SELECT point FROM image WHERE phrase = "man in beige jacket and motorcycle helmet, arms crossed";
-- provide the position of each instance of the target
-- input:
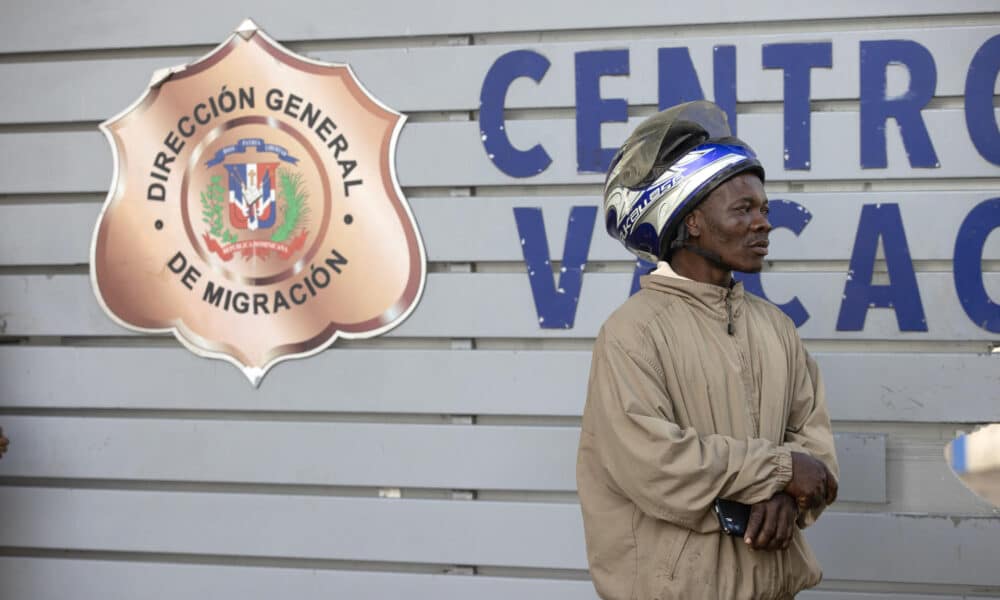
(699, 391)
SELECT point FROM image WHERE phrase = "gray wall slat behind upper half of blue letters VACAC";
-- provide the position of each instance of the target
(56, 234)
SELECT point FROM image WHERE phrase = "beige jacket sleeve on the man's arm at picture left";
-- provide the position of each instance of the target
(671, 473)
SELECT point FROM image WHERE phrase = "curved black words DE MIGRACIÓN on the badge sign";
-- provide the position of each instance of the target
(315, 280)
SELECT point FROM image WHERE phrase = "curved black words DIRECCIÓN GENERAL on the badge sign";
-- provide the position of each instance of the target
(227, 102)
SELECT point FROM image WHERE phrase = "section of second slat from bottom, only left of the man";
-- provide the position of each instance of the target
(543, 535)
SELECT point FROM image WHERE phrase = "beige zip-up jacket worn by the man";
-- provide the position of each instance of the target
(680, 413)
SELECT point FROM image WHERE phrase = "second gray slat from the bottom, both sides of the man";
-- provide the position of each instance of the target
(503, 534)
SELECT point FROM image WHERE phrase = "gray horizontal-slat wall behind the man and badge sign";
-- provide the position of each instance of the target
(437, 461)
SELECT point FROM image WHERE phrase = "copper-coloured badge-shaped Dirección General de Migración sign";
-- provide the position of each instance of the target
(254, 210)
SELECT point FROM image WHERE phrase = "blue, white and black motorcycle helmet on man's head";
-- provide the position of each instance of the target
(671, 162)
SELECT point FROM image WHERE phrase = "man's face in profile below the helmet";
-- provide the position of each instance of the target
(732, 222)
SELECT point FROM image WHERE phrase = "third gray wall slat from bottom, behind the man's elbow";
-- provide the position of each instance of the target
(355, 454)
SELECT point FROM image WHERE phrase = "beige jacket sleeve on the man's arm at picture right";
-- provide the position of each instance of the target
(809, 429)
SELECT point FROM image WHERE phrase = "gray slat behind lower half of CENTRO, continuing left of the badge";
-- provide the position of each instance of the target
(85, 158)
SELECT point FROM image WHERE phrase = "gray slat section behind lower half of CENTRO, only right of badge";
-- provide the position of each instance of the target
(440, 154)
